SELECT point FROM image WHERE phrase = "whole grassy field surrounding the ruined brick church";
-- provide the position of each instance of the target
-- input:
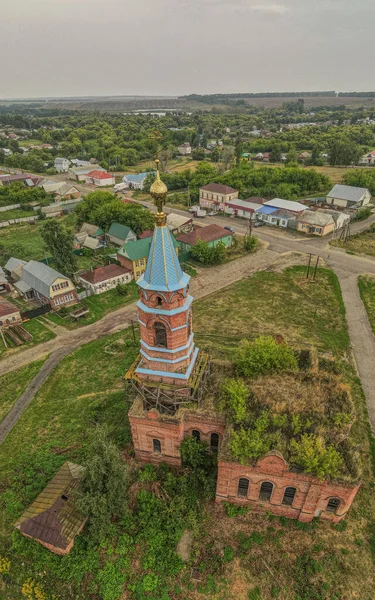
(256, 557)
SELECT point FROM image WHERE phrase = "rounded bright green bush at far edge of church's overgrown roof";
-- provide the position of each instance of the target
(263, 356)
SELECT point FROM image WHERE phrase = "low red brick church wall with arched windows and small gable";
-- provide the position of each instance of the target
(311, 495)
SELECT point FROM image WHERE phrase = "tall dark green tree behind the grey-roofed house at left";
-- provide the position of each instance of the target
(59, 242)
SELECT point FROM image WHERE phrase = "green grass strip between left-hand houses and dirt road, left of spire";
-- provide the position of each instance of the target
(98, 305)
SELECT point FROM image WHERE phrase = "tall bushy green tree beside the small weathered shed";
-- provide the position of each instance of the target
(105, 484)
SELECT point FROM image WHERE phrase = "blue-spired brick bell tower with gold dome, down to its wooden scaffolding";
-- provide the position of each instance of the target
(170, 370)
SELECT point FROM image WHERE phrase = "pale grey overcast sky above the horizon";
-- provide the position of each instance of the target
(175, 47)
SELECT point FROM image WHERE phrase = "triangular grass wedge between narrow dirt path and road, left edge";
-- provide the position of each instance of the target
(13, 384)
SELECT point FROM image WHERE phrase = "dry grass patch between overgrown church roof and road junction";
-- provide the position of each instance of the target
(285, 303)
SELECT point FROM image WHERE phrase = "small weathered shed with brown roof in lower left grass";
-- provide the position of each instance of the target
(53, 519)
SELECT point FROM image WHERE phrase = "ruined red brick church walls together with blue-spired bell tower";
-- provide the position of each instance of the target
(171, 377)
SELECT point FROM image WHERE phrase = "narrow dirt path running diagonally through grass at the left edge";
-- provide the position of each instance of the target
(24, 400)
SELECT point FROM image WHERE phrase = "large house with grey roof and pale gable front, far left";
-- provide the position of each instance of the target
(41, 282)
